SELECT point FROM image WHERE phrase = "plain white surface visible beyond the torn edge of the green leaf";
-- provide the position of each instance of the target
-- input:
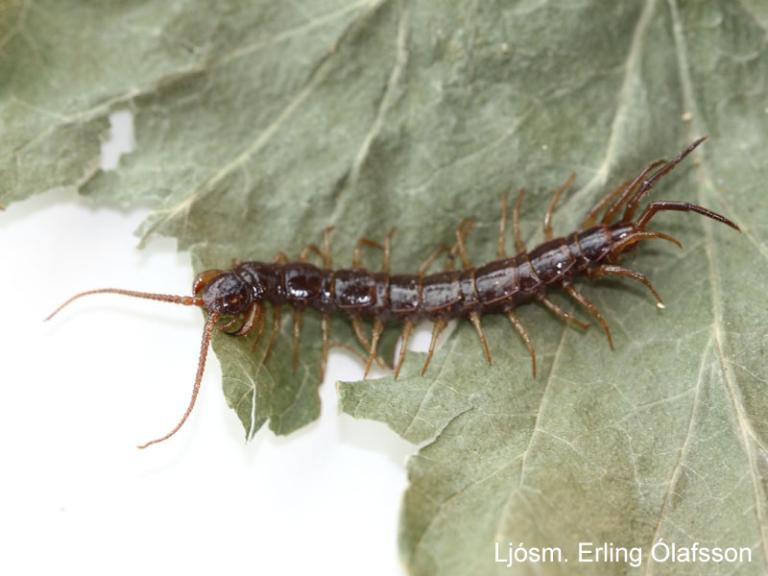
(78, 393)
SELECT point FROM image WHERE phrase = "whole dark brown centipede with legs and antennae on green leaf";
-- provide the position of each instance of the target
(238, 300)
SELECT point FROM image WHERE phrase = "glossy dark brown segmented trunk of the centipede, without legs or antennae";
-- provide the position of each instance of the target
(495, 287)
